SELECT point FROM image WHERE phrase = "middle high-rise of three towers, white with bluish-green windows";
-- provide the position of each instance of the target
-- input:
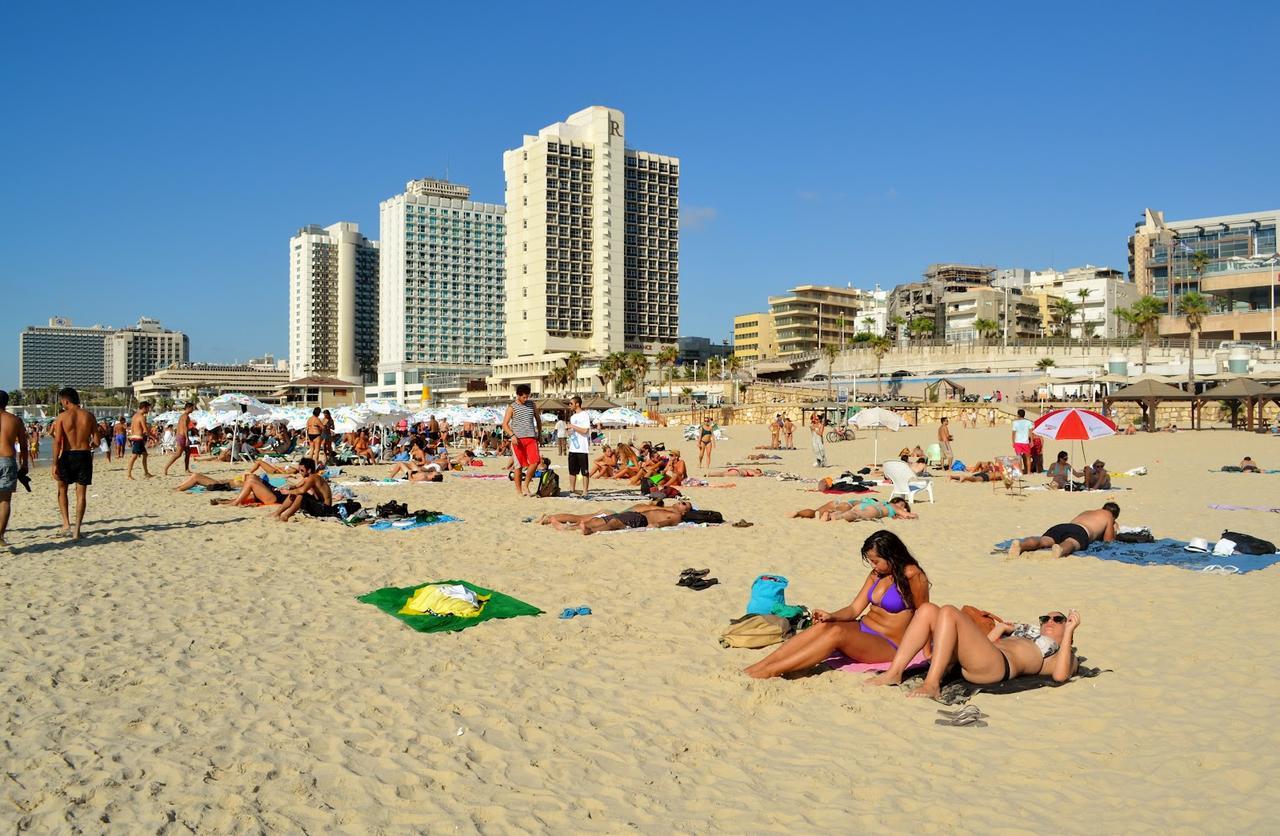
(442, 290)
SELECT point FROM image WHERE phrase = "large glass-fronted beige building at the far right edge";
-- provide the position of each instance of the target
(1240, 277)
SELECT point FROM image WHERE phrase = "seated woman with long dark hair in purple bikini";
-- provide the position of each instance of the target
(867, 631)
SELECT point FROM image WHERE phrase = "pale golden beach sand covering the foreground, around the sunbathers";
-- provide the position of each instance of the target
(190, 668)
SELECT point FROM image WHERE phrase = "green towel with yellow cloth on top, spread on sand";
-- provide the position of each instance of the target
(449, 615)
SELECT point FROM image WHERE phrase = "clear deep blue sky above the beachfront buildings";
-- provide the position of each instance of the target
(157, 161)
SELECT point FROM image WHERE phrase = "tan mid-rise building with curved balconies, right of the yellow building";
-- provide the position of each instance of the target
(815, 316)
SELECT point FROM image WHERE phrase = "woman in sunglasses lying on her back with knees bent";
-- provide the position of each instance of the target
(985, 659)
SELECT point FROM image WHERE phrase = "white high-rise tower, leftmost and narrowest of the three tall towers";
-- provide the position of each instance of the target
(333, 303)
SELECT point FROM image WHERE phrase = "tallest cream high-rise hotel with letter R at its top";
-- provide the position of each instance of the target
(593, 246)
